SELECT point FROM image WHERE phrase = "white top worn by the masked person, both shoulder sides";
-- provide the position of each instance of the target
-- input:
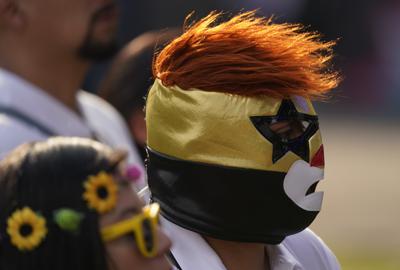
(302, 251)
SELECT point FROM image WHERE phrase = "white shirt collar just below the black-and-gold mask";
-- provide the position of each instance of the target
(192, 252)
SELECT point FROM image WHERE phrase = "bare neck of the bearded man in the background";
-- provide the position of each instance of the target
(60, 77)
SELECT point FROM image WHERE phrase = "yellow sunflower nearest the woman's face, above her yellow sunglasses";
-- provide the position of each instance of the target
(101, 192)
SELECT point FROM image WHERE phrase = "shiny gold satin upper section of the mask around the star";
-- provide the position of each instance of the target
(215, 128)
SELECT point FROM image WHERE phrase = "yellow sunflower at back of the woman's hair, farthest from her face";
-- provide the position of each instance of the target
(26, 229)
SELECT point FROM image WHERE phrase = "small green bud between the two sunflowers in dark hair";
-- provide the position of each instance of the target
(68, 219)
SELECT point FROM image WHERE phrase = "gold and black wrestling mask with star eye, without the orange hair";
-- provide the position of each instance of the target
(219, 166)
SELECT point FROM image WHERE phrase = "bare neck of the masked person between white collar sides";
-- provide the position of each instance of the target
(239, 256)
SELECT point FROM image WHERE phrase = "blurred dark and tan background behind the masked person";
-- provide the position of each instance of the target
(360, 123)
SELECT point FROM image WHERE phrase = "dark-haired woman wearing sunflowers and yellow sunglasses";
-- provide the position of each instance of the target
(67, 203)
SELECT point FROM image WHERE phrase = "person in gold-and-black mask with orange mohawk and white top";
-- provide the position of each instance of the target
(234, 145)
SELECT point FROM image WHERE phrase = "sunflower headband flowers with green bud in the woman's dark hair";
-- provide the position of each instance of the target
(28, 229)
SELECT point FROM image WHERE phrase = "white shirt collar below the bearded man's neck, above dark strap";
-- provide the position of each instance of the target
(28, 99)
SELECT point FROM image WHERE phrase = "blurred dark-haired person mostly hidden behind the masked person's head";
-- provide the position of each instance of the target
(125, 86)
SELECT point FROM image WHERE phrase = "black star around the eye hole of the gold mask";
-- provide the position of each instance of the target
(281, 145)
